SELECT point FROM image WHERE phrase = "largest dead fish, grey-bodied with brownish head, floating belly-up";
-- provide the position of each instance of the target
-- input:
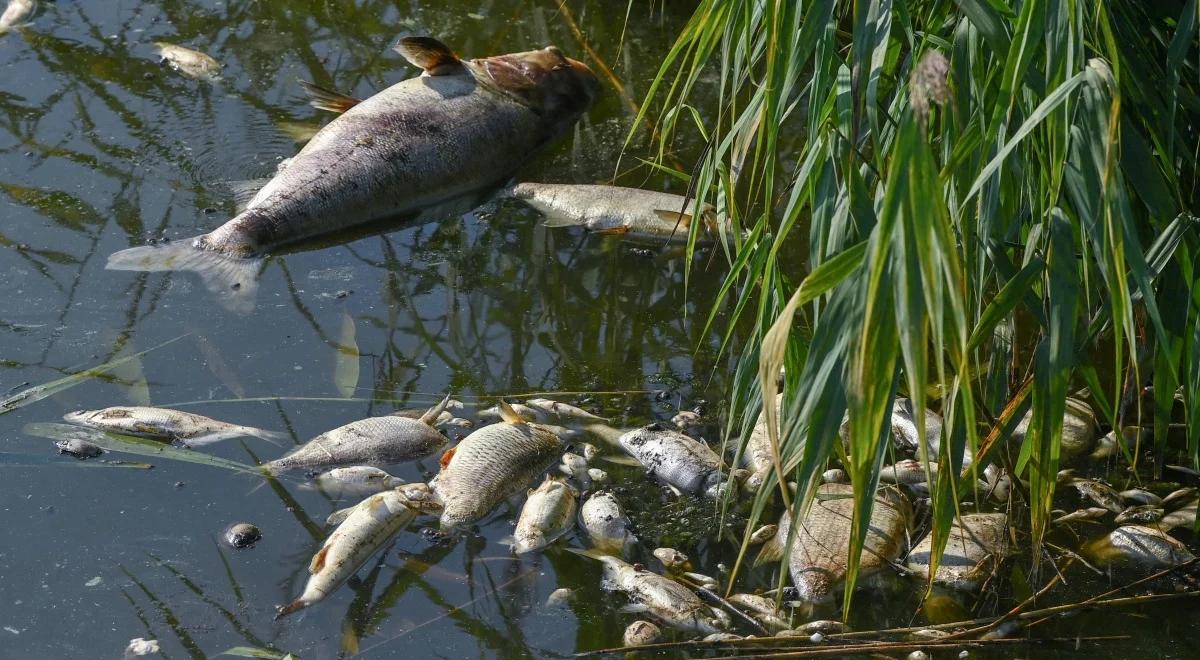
(461, 128)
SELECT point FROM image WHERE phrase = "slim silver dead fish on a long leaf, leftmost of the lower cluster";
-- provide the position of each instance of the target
(165, 424)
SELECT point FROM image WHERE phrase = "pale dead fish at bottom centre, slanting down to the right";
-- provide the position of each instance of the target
(662, 598)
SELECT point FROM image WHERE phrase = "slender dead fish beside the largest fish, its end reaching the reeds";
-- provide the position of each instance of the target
(615, 211)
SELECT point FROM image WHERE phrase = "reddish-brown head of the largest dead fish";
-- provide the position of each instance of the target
(545, 80)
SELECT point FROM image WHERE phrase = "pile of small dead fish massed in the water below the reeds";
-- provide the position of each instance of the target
(544, 454)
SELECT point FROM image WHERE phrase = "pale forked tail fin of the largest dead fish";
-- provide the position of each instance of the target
(232, 279)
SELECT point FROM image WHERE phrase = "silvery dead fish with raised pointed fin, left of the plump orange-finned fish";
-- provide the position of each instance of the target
(369, 442)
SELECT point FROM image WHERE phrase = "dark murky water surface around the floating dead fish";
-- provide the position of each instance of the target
(103, 149)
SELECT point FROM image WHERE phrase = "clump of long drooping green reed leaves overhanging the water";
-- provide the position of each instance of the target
(999, 206)
